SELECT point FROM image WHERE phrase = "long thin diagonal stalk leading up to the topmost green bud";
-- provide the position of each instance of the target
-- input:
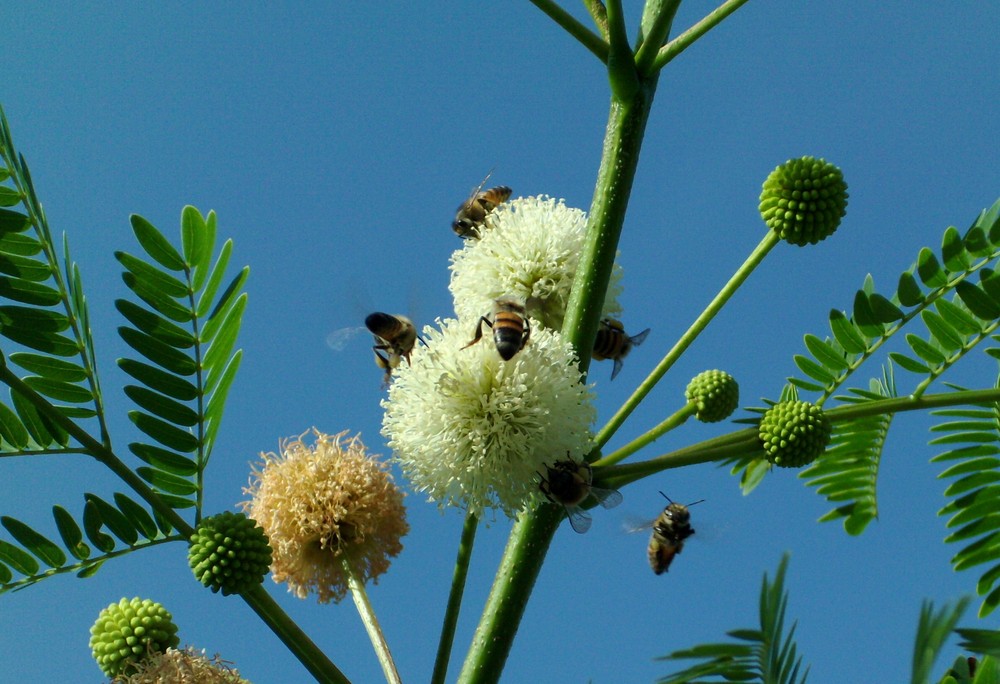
(700, 323)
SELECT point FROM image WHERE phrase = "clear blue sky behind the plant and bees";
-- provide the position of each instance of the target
(335, 142)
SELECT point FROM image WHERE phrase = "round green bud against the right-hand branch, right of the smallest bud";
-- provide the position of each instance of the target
(794, 433)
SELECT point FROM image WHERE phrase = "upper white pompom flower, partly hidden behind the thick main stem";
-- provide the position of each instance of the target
(530, 251)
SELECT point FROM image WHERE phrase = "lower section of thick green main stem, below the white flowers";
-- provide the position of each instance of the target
(522, 560)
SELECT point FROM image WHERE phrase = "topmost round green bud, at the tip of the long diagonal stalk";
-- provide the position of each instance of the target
(803, 200)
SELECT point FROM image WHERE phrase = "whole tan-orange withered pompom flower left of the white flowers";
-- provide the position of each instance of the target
(318, 502)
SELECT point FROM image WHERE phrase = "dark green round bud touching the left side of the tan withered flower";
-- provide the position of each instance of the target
(229, 551)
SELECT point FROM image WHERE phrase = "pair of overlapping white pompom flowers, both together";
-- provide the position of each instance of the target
(468, 428)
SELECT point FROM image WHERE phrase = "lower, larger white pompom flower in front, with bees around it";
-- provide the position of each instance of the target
(472, 430)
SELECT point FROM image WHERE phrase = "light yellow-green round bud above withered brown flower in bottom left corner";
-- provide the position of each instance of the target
(128, 631)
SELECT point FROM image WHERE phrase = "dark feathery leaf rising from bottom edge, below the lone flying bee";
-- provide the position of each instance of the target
(768, 655)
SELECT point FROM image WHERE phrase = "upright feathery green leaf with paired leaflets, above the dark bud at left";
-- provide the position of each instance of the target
(185, 331)
